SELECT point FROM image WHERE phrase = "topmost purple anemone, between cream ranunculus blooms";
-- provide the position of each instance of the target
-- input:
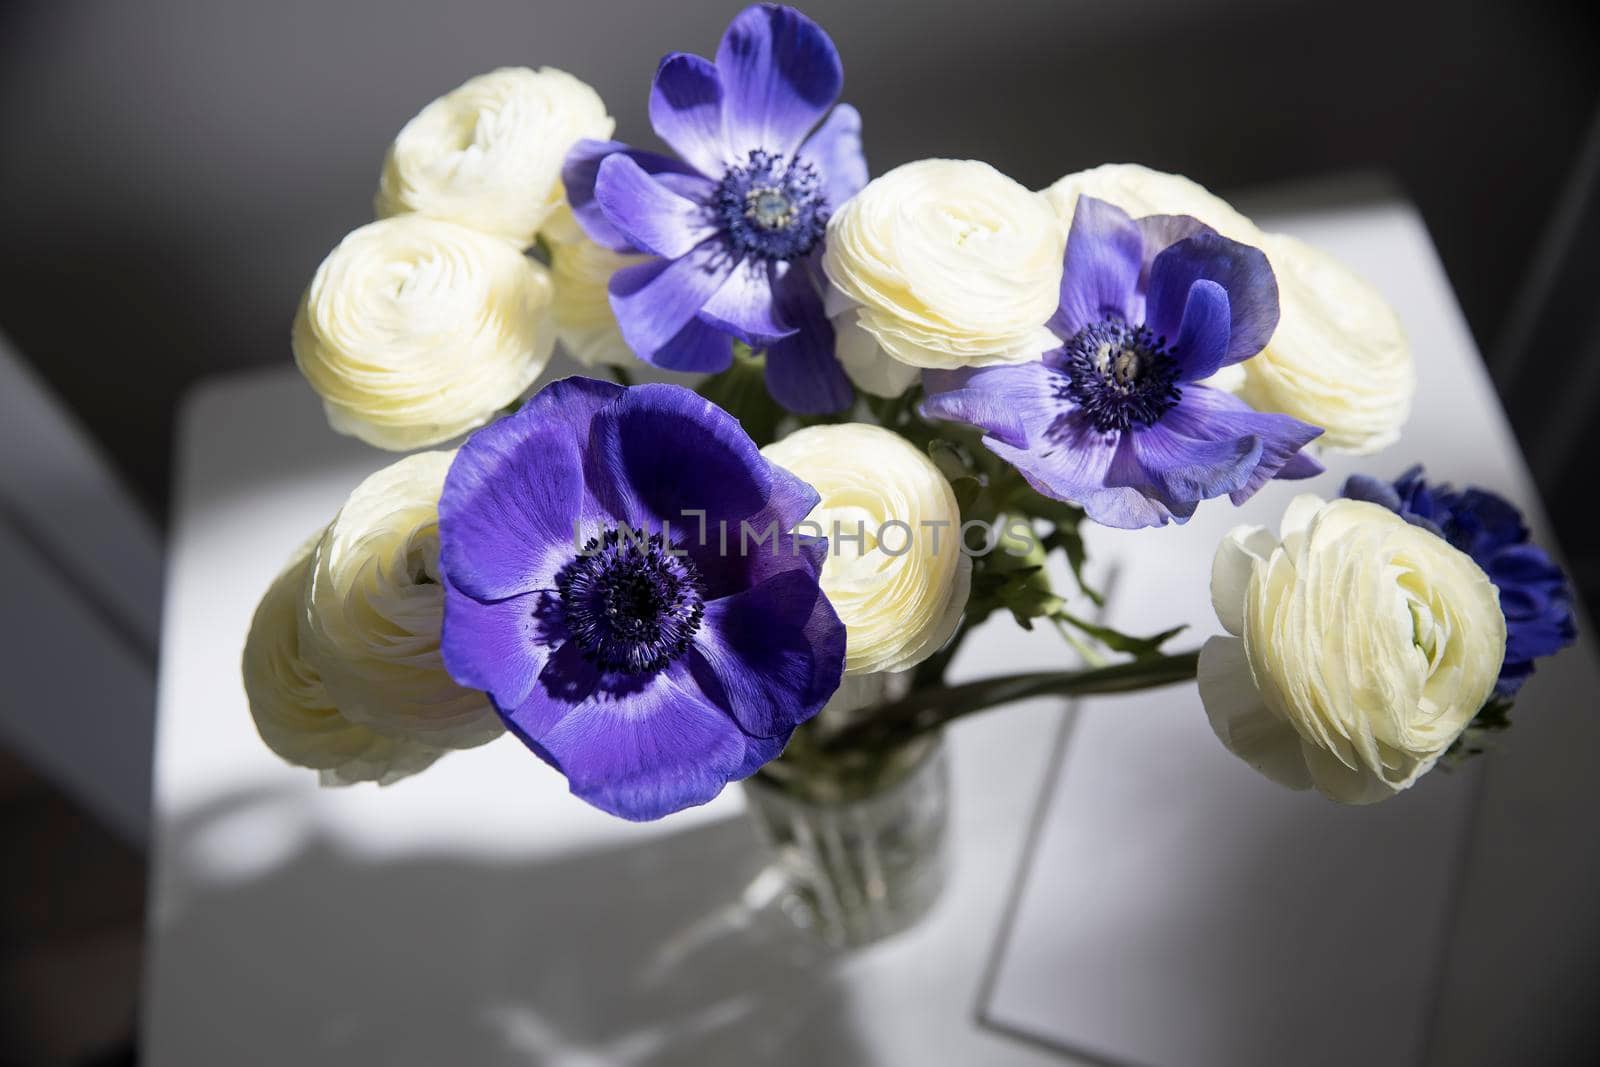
(738, 225)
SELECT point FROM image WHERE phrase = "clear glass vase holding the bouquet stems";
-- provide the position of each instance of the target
(860, 839)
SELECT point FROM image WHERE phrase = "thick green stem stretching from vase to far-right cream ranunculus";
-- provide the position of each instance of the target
(935, 708)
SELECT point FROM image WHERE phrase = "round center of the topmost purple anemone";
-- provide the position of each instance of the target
(772, 207)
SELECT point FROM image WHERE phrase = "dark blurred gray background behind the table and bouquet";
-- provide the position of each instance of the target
(174, 170)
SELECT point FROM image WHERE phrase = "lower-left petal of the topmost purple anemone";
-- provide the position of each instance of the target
(654, 302)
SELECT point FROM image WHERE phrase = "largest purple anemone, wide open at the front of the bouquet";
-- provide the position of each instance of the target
(590, 593)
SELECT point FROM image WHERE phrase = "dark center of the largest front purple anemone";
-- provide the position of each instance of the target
(630, 604)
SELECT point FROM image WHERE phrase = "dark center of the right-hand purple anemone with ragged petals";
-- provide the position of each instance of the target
(1121, 377)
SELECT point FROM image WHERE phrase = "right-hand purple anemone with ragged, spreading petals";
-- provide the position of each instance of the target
(1116, 418)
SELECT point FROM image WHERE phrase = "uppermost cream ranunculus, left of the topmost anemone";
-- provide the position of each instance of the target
(490, 154)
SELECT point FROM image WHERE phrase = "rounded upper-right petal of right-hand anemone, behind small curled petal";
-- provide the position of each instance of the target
(1241, 271)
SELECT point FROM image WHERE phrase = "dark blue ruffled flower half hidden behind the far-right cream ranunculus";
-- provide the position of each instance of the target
(1535, 594)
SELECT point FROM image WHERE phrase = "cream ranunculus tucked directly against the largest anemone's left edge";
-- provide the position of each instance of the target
(375, 607)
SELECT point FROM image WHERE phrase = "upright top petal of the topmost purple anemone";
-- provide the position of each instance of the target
(780, 76)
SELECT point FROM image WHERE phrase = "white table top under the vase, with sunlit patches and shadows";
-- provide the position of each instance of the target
(479, 914)
